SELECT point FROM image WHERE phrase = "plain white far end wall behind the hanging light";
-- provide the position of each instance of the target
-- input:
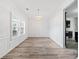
(38, 27)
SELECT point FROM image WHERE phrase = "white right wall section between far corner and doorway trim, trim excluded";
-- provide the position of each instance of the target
(56, 30)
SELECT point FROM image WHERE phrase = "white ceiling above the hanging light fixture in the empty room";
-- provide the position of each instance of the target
(46, 6)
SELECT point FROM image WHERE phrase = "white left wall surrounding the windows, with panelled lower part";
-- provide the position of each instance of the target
(6, 42)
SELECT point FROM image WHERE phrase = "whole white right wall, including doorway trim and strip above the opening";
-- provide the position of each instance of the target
(57, 24)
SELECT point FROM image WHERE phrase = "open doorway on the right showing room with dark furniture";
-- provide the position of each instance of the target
(71, 26)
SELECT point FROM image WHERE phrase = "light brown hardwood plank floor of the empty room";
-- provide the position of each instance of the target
(40, 48)
